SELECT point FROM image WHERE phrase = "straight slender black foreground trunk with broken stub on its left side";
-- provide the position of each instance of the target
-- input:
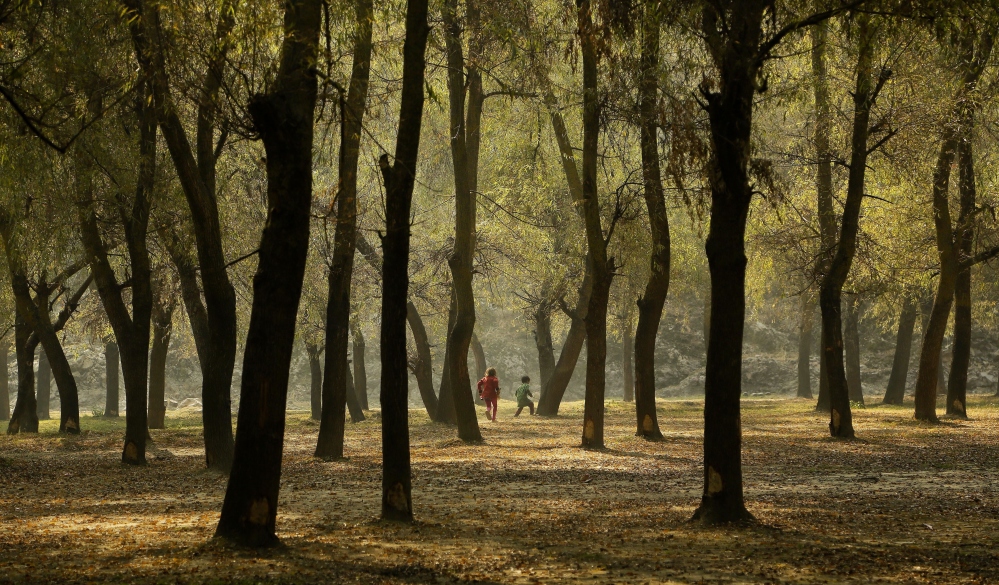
(397, 502)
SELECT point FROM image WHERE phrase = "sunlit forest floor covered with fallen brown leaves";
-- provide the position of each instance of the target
(905, 503)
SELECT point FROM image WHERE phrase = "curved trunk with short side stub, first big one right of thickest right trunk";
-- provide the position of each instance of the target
(830, 295)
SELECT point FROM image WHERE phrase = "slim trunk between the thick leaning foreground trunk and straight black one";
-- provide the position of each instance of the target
(331, 429)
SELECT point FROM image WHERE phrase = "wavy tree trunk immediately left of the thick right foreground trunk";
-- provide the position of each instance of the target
(650, 305)
